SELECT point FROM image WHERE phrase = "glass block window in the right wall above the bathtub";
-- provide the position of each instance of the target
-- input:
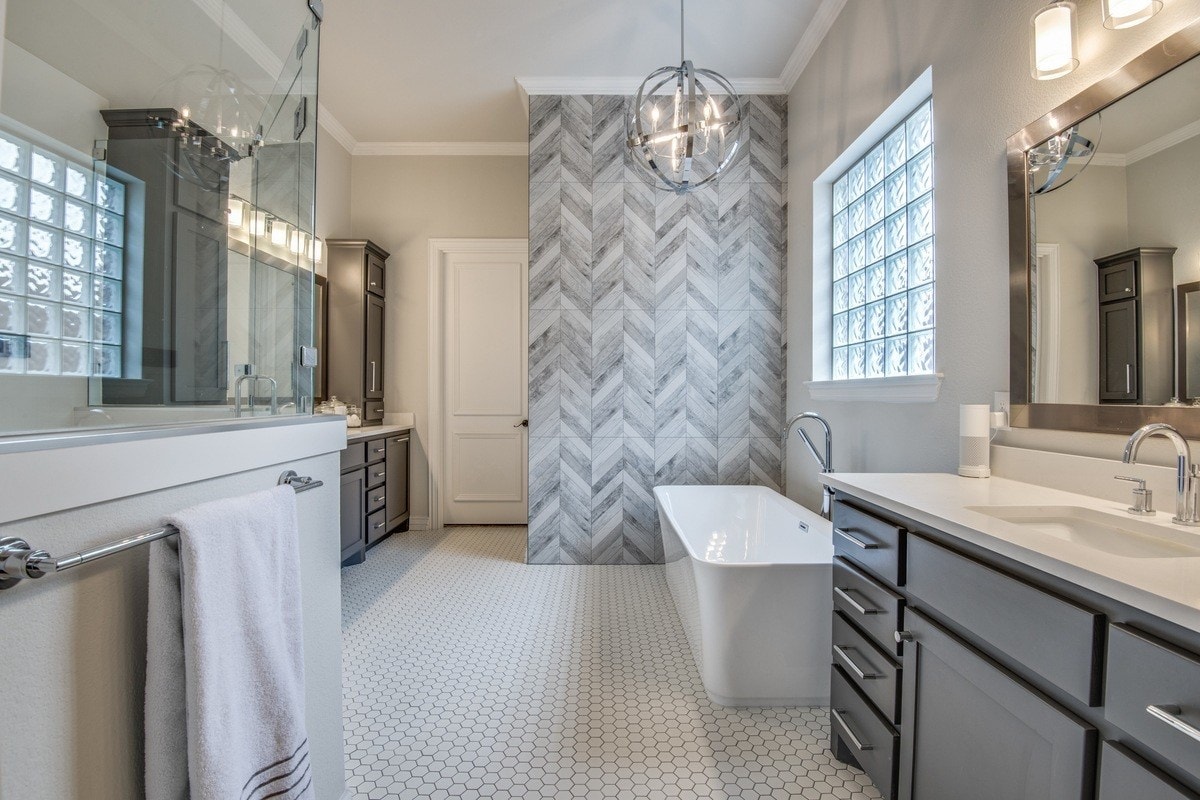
(884, 257)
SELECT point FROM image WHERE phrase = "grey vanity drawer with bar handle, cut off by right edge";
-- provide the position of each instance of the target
(1145, 673)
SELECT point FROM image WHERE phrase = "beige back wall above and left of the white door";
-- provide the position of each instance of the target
(401, 203)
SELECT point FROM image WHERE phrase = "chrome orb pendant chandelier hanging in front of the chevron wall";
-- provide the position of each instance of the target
(686, 125)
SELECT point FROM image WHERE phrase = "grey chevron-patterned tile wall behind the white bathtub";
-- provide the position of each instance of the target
(656, 329)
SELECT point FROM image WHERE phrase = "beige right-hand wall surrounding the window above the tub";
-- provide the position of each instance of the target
(982, 94)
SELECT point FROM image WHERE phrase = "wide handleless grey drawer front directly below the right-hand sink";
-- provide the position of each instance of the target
(1055, 639)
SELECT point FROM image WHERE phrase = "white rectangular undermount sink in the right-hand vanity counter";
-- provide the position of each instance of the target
(1123, 537)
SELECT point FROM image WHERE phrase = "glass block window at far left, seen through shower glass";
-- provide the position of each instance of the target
(62, 239)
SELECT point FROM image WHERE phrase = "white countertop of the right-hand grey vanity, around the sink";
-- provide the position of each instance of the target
(1166, 587)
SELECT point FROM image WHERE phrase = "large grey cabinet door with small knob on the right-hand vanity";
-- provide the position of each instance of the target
(975, 731)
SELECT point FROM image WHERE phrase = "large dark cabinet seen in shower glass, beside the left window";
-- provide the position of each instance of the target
(177, 256)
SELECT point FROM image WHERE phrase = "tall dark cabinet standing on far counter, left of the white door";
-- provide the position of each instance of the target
(356, 339)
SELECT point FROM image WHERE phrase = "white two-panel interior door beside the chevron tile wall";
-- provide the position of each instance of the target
(487, 388)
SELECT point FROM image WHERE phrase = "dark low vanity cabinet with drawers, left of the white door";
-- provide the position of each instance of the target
(375, 492)
